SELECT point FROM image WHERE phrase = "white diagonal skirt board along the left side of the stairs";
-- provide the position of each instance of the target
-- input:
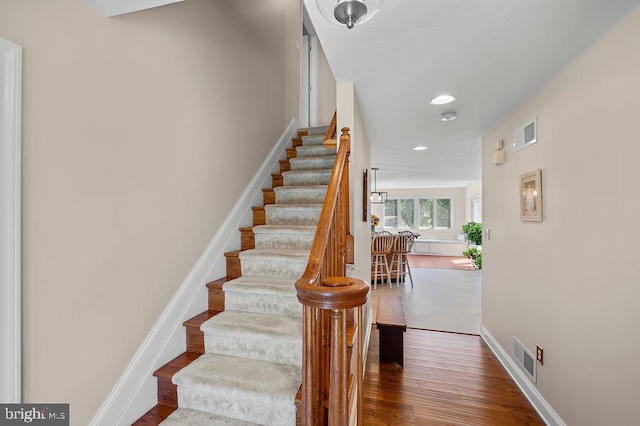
(136, 390)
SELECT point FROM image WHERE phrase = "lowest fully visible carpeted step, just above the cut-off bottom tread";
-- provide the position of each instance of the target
(250, 390)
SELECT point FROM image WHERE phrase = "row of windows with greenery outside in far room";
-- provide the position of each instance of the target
(418, 213)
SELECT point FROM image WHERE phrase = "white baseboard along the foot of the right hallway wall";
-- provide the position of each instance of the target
(549, 416)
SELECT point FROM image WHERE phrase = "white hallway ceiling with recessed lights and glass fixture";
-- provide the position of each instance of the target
(491, 54)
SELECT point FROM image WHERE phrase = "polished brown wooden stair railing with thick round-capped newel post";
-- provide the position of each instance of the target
(329, 299)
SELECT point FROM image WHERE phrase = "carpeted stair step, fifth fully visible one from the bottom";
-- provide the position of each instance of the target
(284, 237)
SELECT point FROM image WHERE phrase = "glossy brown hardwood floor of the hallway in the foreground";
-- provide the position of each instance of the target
(447, 379)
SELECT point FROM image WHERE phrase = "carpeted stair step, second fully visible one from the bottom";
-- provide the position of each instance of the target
(274, 338)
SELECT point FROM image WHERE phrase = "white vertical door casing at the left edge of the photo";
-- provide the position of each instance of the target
(10, 226)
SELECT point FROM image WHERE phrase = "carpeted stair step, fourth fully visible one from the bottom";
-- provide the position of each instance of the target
(273, 263)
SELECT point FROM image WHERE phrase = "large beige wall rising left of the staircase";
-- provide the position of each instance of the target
(134, 128)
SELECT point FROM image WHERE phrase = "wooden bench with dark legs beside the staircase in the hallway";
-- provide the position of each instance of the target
(392, 323)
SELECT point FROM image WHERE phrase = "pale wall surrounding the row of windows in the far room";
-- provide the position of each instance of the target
(458, 199)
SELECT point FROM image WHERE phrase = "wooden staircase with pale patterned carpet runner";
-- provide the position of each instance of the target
(243, 363)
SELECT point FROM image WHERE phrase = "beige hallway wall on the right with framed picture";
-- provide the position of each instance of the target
(571, 283)
